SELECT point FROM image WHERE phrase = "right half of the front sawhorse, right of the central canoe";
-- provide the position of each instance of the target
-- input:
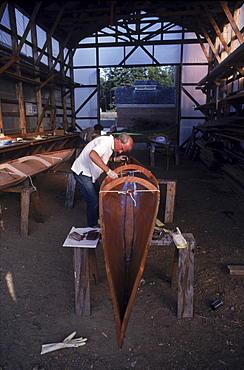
(183, 273)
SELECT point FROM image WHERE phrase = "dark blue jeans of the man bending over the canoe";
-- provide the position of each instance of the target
(90, 192)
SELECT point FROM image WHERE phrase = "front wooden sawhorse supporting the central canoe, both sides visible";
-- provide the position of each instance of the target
(85, 267)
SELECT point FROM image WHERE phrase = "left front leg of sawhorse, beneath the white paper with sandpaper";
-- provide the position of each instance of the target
(82, 281)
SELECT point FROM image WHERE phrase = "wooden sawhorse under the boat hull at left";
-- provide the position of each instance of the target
(28, 194)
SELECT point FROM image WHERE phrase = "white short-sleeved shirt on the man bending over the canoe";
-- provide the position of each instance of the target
(104, 146)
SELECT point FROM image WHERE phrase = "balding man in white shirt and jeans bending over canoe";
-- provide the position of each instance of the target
(92, 162)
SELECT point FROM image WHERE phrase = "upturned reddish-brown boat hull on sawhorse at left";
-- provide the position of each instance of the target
(17, 170)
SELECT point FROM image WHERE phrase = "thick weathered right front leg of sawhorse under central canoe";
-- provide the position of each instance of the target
(186, 279)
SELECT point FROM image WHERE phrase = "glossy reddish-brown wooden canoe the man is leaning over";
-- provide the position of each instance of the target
(128, 210)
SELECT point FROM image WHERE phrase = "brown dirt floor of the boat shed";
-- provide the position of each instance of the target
(37, 286)
